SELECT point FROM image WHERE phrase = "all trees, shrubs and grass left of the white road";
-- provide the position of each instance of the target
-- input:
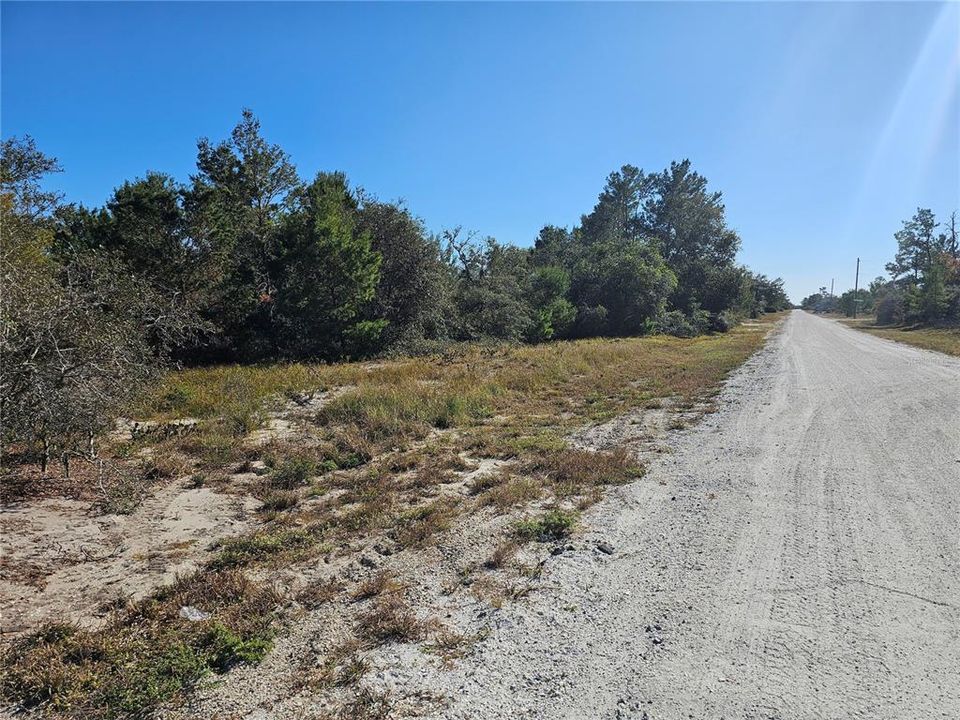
(378, 390)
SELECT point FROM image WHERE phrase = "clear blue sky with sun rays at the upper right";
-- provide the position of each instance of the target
(824, 124)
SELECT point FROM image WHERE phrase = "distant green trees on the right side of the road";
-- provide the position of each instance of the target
(924, 278)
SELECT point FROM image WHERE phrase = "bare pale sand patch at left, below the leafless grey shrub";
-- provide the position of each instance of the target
(60, 560)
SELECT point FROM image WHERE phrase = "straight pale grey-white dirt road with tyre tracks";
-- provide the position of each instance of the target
(796, 556)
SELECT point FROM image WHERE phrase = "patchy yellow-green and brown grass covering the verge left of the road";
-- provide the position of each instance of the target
(377, 459)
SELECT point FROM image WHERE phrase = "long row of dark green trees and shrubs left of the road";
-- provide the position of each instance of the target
(249, 262)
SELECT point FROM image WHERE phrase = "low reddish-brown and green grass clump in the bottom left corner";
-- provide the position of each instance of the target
(148, 655)
